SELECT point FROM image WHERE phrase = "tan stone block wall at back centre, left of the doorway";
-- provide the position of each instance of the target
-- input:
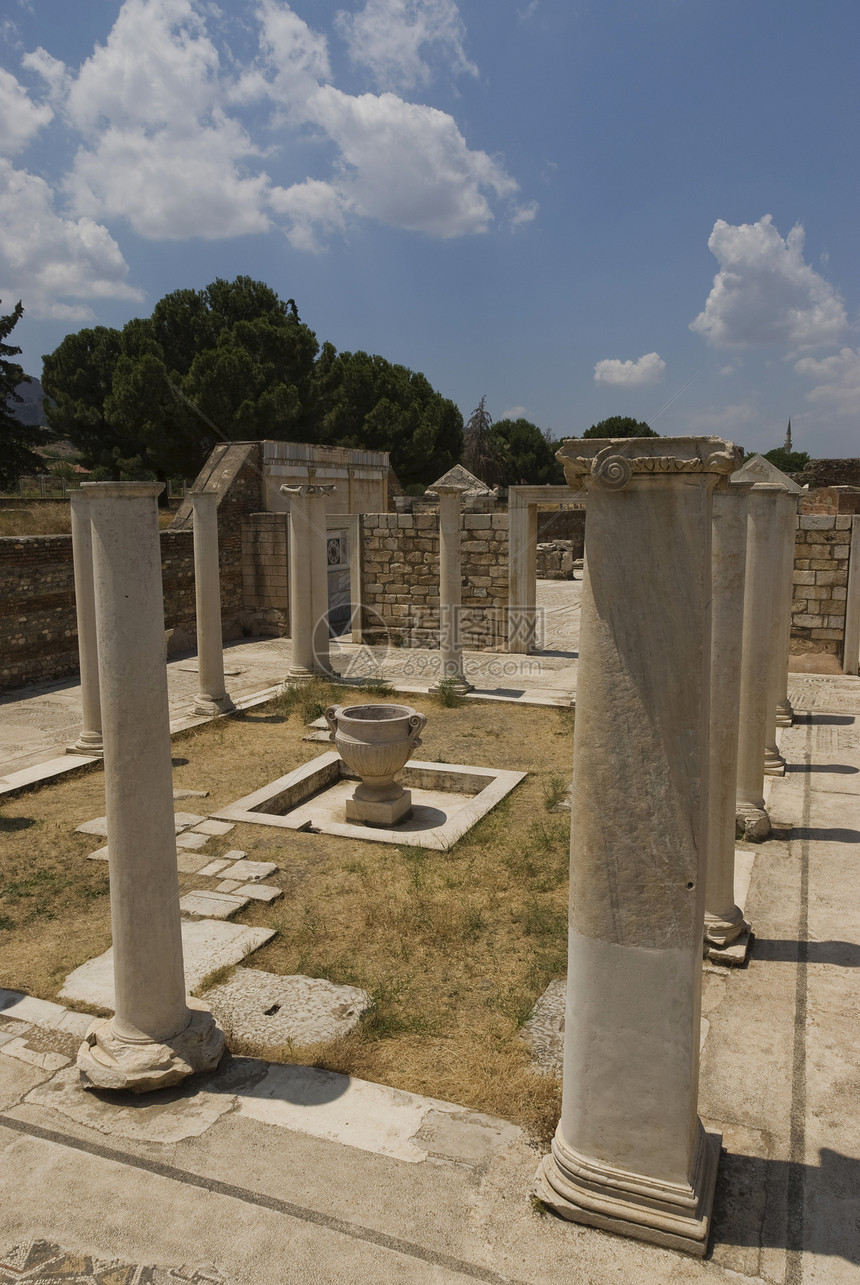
(400, 579)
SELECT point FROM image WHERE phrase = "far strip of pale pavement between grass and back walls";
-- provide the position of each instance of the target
(38, 723)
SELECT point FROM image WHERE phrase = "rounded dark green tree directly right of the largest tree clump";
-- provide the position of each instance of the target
(363, 402)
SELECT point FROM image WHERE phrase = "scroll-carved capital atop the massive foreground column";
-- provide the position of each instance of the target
(613, 463)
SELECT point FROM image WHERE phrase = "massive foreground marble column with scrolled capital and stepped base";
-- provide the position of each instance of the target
(631, 1155)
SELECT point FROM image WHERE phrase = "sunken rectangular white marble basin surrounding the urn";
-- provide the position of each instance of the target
(448, 800)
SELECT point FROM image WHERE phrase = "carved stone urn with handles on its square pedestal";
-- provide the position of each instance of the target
(375, 742)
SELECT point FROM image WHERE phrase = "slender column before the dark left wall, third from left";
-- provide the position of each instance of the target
(211, 697)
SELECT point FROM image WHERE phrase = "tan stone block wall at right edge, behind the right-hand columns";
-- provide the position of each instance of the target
(822, 554)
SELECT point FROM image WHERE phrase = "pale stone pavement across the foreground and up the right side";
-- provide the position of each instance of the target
(268, 1174)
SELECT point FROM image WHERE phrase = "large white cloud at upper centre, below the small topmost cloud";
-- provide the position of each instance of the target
(408, 165)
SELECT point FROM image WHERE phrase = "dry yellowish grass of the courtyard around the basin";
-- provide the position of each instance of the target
(453, 946)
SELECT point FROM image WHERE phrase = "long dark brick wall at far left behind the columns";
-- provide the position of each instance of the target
(38, 623)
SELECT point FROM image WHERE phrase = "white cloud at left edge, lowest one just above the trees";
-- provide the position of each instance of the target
(47, 260)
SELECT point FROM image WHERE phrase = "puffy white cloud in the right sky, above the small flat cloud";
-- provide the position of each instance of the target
(766, 294)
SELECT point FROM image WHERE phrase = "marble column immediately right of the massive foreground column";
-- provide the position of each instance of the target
(724, 922)
